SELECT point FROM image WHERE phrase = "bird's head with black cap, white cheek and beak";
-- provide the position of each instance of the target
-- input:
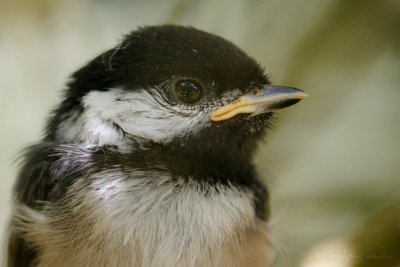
(171, 88)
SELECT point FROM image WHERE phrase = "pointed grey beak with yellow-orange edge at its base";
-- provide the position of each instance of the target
(268, 98)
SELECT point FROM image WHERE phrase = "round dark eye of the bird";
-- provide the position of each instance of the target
(188, 90)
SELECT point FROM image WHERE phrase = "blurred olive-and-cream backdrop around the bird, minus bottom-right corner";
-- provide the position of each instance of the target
(333, 160)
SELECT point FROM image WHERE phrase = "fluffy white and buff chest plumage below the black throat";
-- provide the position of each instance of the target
(150, 221)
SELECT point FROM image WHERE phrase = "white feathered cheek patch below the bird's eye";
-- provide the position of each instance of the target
(142, 113)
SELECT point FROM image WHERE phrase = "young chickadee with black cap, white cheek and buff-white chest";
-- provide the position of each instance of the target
(147, 160)
